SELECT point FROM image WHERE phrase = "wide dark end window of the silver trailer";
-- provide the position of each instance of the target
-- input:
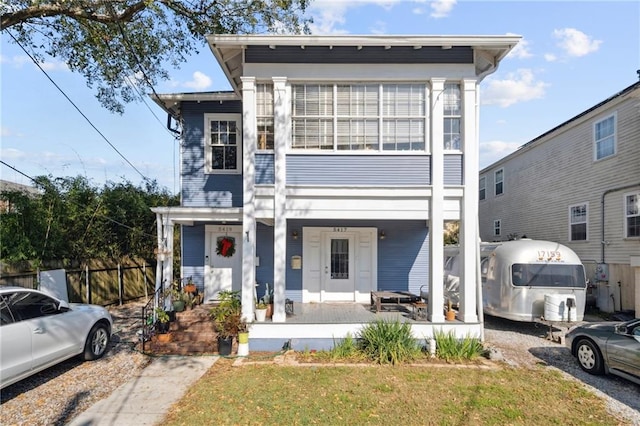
(547, 275)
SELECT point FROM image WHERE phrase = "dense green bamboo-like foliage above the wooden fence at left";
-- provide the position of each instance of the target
(72, 220)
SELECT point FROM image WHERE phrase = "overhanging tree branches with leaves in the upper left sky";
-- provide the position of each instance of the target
(110, 41)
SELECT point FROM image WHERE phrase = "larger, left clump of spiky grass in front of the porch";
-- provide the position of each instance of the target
(387, 342)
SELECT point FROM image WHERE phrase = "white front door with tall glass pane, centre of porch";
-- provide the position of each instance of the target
(338, 278)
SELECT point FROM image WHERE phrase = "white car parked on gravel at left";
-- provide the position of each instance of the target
(38, 331)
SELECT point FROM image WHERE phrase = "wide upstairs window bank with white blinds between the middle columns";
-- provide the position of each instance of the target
(354, 117)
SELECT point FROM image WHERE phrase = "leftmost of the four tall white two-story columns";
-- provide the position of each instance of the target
(249, 144)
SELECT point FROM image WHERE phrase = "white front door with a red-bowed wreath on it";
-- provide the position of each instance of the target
(223, 260)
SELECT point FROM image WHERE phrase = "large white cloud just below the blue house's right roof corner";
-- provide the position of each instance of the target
(520, 86)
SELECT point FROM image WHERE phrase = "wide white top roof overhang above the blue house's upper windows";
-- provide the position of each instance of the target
(229, 50)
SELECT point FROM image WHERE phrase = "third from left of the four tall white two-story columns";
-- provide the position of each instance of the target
(436, 214)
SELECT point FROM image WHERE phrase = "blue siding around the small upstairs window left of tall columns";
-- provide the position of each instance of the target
(200, 189)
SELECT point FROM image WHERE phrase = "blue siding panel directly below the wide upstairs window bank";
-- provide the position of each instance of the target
(358, 170)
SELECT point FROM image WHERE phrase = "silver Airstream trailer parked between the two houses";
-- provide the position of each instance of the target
(531, 280)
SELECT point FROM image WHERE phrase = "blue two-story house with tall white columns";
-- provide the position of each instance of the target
(330, 169)
